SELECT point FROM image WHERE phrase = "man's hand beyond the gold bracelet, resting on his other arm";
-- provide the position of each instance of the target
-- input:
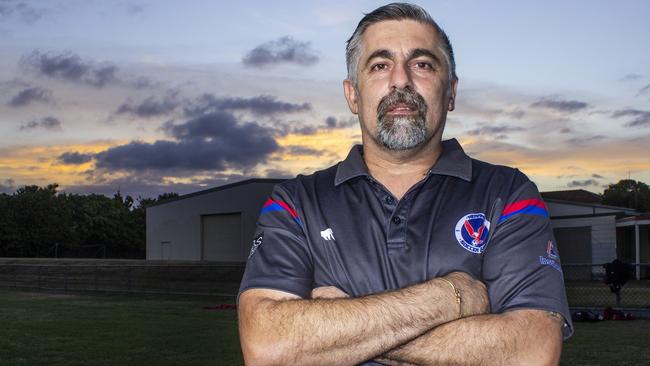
(473, 293)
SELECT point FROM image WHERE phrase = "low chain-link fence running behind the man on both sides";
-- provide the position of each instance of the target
(585, 283)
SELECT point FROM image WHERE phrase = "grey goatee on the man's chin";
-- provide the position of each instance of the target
(401, 133)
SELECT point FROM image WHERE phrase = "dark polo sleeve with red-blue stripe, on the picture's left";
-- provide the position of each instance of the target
(279, 258)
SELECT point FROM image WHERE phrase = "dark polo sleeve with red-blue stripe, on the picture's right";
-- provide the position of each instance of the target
(521, 265)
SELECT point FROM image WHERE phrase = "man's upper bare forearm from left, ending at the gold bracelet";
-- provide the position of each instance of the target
(340, 331)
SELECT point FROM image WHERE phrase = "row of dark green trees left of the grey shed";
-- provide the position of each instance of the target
(34, 219)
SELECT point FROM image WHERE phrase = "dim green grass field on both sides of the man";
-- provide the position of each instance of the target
(65, 329)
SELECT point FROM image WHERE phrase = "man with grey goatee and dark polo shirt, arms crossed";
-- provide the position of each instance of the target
(408, 252)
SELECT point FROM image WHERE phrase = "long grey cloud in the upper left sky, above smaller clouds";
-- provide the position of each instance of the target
(70, 67)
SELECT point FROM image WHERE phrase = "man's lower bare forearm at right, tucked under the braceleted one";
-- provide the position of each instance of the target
(522, 337)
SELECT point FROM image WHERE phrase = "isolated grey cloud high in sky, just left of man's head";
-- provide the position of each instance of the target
(282, 50)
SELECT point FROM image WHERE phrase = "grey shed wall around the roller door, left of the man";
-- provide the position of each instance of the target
(179, 222)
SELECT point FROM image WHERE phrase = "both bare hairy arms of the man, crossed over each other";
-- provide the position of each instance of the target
(414, 325)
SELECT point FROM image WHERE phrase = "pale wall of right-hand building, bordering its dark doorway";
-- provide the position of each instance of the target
(603, 235)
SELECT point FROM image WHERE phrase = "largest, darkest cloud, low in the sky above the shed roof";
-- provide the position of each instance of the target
(214, 141)
